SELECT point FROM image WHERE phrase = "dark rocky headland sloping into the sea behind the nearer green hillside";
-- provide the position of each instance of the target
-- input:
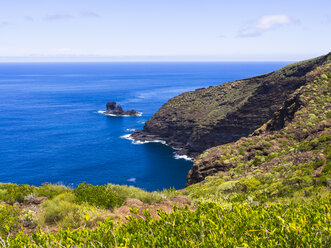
(195, 121)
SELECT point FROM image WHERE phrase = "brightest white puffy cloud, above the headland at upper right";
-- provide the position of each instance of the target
(264, 24)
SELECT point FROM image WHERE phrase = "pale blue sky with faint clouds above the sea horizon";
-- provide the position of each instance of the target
(164, 30)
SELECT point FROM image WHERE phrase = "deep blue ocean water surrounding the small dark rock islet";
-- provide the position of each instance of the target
(51, 131)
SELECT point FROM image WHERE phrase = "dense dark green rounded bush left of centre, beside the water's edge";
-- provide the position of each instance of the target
(99, 196)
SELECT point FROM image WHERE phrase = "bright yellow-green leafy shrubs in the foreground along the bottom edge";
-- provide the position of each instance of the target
(210, 225)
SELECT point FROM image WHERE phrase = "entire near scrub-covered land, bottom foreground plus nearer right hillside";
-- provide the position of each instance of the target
(271, 189)
